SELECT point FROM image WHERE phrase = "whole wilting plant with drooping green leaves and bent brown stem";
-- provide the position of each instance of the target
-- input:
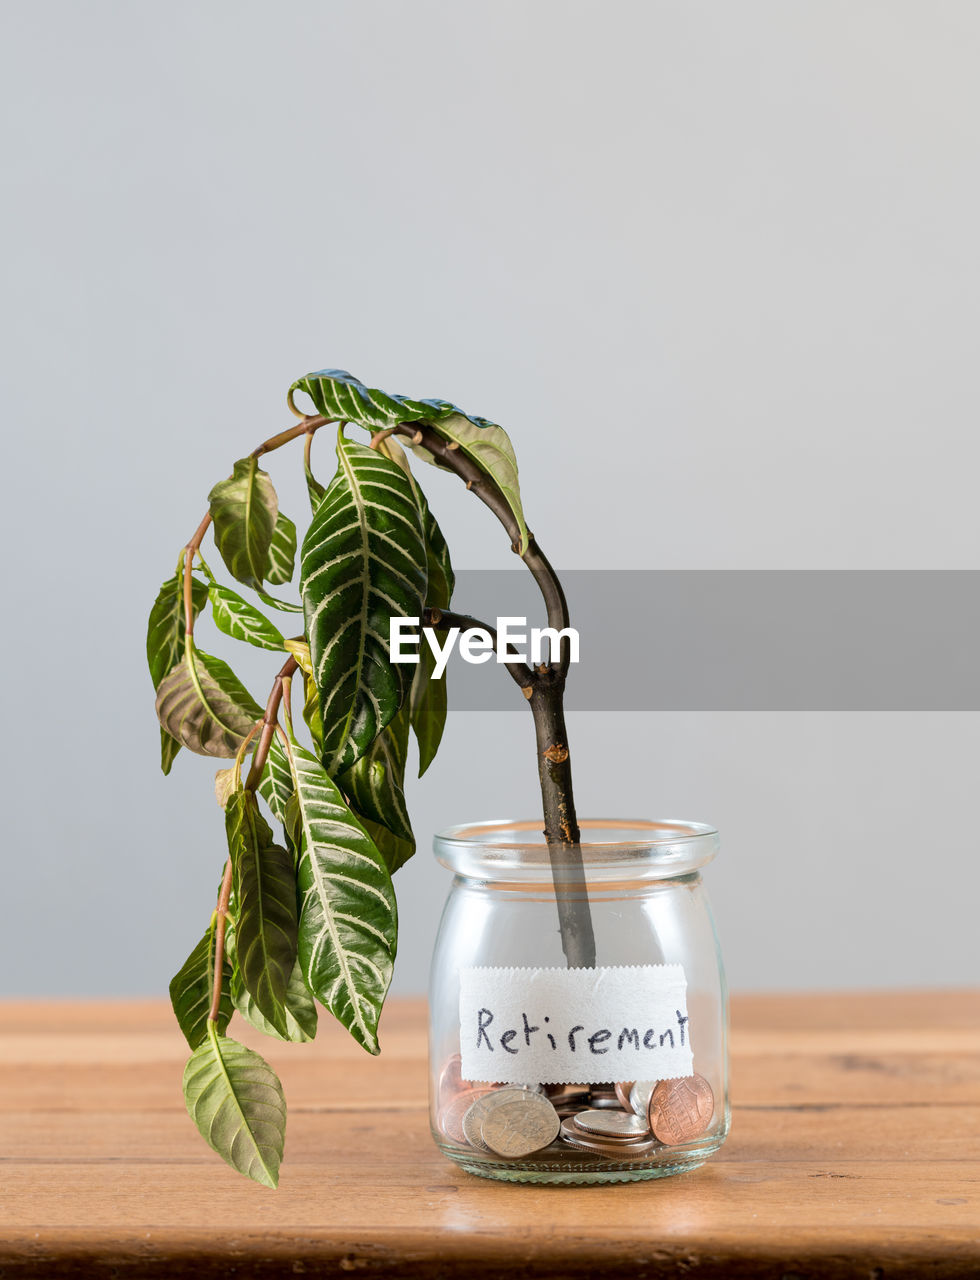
(310, 918)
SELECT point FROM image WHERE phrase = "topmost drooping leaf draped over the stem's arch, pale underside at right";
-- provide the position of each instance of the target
(338, 395)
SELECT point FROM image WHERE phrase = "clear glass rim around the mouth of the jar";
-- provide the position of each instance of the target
(636, 847)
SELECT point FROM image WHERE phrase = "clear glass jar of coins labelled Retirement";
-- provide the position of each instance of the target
(524, 1043)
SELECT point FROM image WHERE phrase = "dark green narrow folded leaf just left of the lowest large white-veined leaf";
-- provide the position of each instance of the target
(267, 921)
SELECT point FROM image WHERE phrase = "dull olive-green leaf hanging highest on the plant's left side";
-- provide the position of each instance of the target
(245, 510)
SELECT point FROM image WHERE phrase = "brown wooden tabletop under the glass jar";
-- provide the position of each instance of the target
(854, 1153)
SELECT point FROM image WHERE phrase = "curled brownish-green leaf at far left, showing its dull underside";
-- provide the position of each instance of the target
(204, 706)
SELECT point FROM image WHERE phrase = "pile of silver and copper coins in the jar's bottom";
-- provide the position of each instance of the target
(621, 1122)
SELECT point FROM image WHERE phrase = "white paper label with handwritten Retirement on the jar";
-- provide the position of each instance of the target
(575, 1026)
